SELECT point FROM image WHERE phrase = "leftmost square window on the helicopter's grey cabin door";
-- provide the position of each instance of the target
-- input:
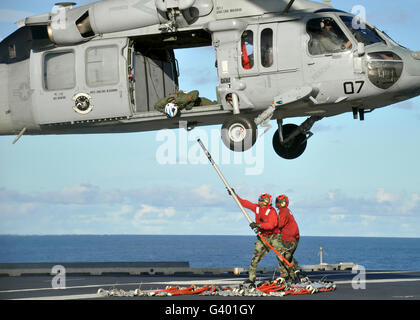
(59, 70)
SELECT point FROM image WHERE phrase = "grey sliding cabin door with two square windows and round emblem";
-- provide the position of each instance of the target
(81, 83)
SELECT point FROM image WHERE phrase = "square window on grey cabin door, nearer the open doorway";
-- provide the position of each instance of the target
(102, 66)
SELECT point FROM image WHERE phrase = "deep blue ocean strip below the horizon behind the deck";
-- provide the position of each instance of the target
(208, 251)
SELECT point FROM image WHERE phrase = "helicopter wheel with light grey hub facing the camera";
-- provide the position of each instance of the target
(239, 133)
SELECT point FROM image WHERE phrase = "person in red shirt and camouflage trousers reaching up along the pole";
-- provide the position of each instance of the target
(266, 223)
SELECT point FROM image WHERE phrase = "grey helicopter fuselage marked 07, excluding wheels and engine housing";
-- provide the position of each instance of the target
(110, 82)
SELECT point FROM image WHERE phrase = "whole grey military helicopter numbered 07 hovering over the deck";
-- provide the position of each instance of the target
(101, 68)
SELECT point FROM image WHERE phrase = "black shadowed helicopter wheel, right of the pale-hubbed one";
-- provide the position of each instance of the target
(294, 148)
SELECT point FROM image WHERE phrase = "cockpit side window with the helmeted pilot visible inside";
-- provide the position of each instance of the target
(326, 37)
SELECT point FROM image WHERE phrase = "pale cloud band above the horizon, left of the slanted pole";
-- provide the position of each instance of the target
(89, 208)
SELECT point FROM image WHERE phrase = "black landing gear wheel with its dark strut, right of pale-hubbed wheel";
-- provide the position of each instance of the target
(290, 140)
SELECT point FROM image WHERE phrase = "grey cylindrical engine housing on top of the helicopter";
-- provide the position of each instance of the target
(70, 25)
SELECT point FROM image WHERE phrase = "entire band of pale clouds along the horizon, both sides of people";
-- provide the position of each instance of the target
(193, 210)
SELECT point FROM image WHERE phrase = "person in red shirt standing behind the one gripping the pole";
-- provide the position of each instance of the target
(289, 231)
